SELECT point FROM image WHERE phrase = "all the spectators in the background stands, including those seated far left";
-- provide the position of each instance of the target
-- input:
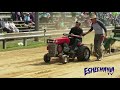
(108, 18)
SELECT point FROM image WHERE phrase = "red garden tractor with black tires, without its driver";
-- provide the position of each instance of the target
(61, 47)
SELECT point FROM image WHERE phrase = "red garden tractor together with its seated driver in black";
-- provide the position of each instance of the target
(68, 47)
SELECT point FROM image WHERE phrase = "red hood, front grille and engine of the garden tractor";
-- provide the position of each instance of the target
(58, 45)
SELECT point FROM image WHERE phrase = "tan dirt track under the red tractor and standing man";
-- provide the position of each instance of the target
(28, 63)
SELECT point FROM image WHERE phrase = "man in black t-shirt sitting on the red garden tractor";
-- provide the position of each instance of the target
(76, 31)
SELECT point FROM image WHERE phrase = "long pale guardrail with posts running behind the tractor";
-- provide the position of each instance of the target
(25, 35)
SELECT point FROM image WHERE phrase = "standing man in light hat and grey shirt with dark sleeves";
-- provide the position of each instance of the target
(99, 28)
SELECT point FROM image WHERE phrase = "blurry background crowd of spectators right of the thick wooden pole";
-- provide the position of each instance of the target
(109, 18)
